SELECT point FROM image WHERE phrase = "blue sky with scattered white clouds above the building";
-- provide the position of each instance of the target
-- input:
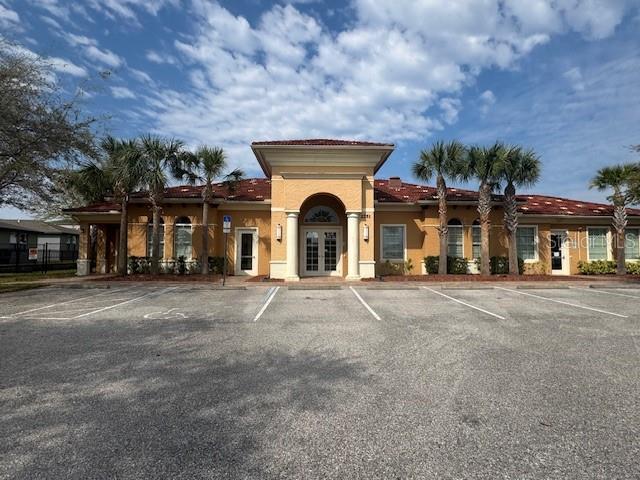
(558, 76)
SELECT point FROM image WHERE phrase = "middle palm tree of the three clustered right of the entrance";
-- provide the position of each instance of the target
(484, 165)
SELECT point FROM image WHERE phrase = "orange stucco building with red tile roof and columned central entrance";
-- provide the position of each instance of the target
(319, 211)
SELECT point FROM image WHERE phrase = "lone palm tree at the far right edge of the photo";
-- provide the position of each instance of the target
(620, 179)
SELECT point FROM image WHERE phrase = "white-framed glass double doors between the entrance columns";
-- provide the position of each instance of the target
(321, 252)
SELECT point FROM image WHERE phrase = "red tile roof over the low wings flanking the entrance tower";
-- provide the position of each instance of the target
(259, 189)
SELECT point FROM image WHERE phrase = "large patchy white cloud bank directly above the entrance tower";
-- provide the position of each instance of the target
(396, 73)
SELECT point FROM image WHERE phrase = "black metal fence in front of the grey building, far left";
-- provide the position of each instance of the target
(15, 257)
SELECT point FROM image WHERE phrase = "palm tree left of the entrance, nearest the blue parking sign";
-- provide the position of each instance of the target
(205, 165)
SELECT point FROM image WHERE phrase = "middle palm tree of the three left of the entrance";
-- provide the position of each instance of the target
(161, 159)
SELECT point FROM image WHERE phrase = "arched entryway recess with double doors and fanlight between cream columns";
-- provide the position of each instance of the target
(322, 236)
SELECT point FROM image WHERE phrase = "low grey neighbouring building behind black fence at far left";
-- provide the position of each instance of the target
(31, 242)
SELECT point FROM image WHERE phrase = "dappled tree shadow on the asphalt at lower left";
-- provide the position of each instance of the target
(104, 400)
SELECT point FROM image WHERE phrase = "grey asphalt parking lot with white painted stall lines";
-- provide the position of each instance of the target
(356, 382)
